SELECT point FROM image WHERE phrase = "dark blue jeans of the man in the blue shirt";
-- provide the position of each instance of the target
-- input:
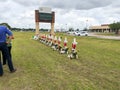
(4, 49)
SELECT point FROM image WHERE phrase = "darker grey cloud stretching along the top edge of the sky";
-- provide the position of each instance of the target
(78, 5)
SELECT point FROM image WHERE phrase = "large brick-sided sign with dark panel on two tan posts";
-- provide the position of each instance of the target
(44, 15)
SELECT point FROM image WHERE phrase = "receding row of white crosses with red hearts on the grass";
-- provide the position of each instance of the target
(55, 44)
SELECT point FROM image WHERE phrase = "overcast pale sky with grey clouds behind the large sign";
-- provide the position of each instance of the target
(68, 13)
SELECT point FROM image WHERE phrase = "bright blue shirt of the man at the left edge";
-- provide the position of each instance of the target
(3, 32)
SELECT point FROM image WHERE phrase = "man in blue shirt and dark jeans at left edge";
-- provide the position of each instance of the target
(3, 47)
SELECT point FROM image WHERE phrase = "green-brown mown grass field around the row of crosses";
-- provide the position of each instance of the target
(41, 68)
